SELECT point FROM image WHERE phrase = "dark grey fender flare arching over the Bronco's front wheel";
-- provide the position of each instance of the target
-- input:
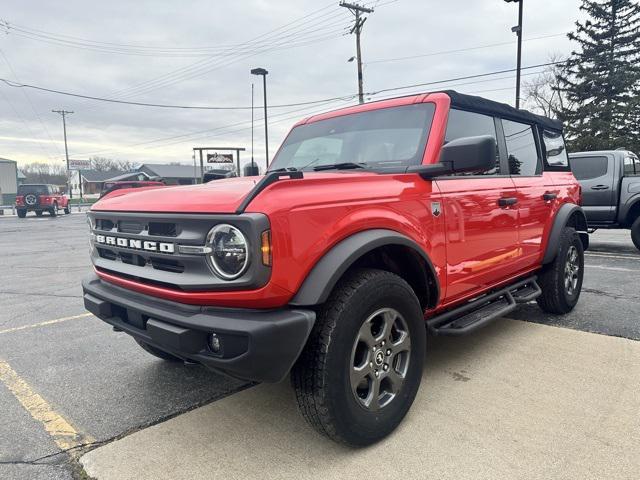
(322, 278)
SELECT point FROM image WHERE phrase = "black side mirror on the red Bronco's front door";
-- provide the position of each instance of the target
(467, 154)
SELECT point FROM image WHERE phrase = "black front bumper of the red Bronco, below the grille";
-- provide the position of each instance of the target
(258, 345)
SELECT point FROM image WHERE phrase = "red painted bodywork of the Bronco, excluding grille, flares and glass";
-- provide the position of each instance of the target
(474, 244)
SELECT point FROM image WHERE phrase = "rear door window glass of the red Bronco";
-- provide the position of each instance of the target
(521, 149)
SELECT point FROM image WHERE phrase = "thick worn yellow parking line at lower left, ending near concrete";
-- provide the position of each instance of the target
(64, 435)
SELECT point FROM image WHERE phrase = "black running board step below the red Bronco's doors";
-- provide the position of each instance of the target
(477, 313)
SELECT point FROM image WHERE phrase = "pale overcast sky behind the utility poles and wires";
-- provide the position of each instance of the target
(200, 53)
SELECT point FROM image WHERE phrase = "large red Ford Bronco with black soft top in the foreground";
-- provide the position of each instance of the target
(437, 212)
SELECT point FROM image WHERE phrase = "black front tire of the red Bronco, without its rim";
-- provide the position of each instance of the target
(321, 376)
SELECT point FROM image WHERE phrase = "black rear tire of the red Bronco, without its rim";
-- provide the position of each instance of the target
(556, 297)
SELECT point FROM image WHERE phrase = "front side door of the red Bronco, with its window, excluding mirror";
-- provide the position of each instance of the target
(480, 216)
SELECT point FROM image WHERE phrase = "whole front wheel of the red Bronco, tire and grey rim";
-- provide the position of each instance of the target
(361, 368)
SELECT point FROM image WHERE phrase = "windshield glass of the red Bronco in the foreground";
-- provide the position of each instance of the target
(386, 138)
